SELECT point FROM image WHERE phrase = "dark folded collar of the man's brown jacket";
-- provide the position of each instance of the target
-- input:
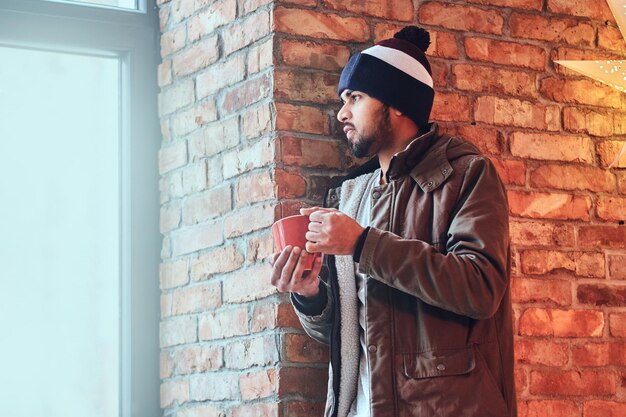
(424, 159)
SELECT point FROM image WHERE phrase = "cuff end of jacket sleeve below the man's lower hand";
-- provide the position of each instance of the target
(315, 314)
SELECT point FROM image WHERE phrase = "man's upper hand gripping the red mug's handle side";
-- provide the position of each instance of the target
(331, 231)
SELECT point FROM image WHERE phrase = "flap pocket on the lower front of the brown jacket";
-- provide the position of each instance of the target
(447, 383)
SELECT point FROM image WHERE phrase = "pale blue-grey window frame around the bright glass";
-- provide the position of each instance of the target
(133, 37)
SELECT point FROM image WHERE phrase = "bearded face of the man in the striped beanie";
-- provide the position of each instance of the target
(366, 123)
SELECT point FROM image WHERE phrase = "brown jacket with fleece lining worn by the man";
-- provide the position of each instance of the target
(438, 309)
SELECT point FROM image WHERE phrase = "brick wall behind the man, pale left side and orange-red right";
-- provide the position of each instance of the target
(248, 108)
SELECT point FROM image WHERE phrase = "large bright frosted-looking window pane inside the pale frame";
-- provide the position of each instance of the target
(60, 239)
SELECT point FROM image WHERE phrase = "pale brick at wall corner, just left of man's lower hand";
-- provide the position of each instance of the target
(250, 284)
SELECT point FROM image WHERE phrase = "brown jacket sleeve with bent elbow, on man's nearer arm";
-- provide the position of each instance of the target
(471, 278)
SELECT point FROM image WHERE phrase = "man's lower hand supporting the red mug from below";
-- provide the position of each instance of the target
(288, 274)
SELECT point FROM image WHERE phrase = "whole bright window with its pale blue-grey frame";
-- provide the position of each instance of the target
(79, 140)
